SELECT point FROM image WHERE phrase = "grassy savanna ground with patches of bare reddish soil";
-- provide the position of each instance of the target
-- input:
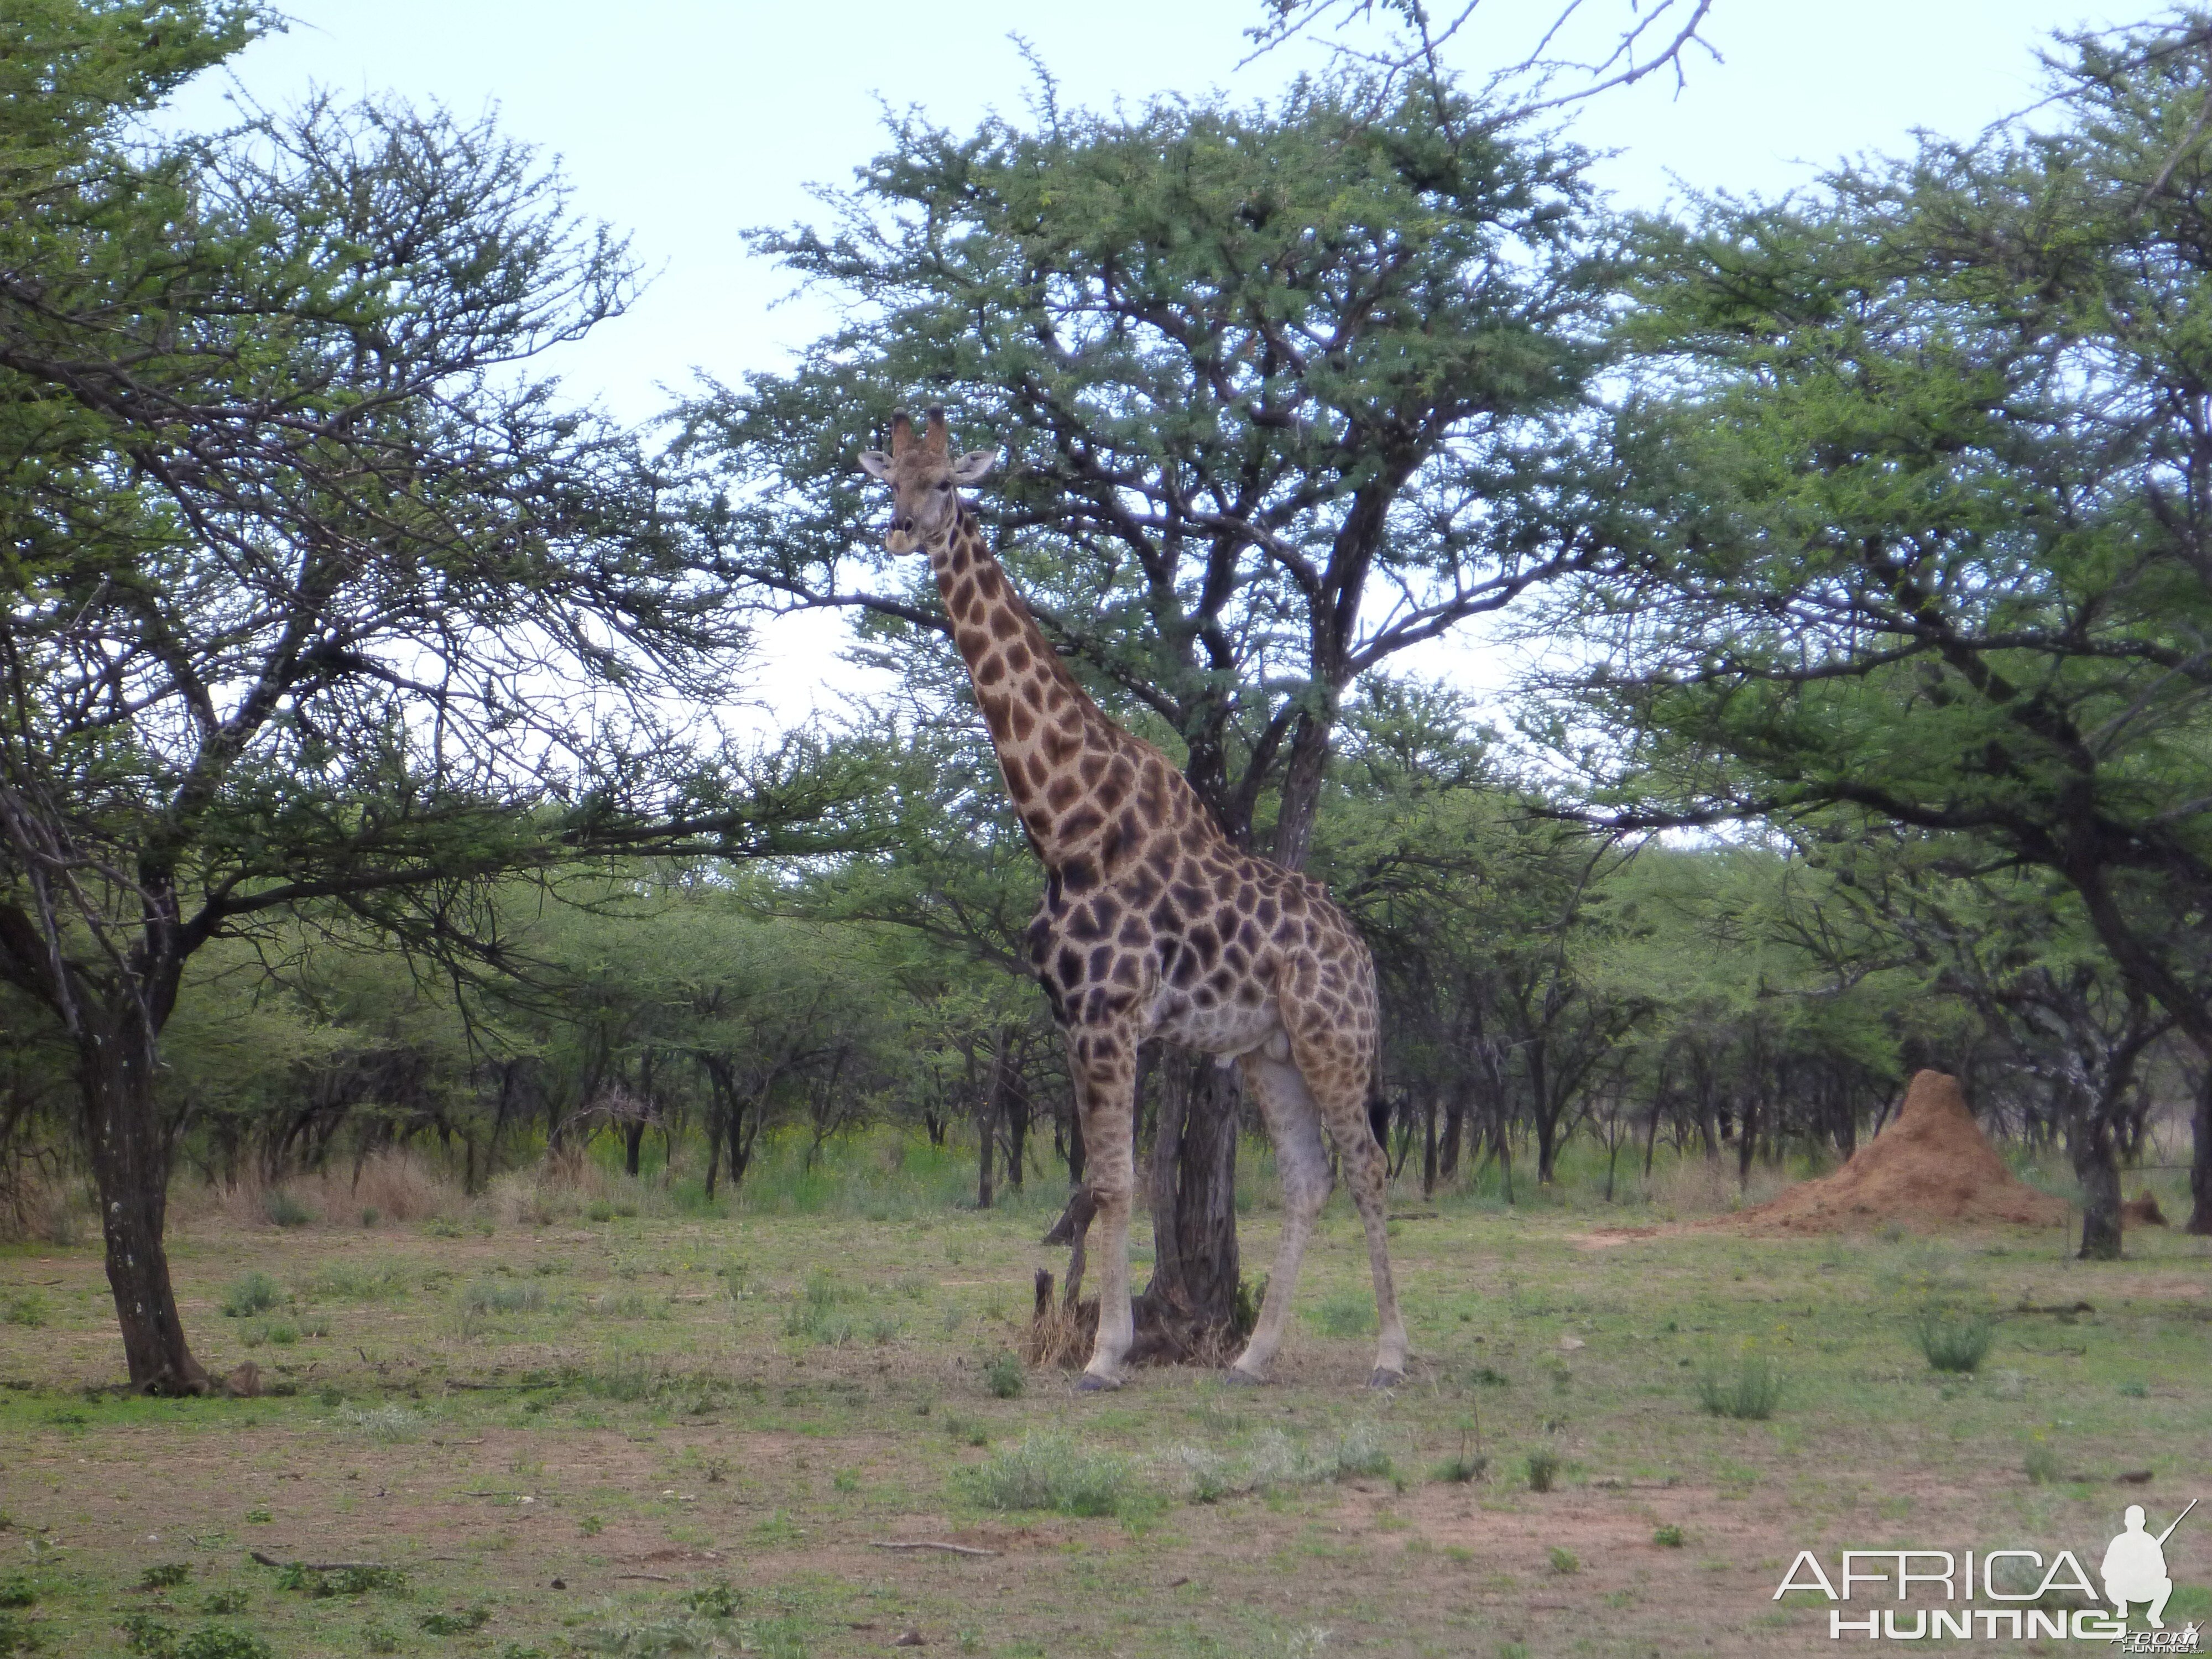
(616, 1421)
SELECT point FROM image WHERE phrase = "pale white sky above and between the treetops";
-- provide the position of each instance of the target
(689, 121)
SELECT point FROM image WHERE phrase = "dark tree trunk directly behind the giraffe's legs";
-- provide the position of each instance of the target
(1191, 1306)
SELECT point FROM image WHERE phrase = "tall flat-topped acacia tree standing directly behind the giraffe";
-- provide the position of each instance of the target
(1284, 393)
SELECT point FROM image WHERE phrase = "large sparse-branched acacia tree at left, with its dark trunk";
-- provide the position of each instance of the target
(313, 594)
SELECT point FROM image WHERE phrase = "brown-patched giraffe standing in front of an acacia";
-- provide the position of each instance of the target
(1154, 924)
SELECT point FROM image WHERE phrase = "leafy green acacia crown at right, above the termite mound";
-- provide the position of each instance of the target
(1926, 492)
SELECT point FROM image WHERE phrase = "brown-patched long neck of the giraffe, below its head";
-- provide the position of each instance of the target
(1067, 766)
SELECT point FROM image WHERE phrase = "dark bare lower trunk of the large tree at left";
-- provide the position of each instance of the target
(129, 1154)
